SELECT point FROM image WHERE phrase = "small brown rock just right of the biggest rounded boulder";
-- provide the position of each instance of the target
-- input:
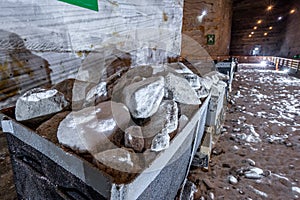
(134, 138)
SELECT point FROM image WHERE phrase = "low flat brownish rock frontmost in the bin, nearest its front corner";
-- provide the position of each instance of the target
(119, 159)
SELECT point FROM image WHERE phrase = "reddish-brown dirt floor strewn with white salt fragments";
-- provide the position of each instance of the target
(257, 154)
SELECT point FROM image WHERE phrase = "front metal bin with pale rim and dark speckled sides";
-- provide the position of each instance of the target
(43, 170)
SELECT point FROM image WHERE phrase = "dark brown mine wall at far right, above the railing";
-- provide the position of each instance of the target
(291, 43)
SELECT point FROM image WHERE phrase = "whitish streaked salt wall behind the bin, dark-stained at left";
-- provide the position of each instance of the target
(44, 42)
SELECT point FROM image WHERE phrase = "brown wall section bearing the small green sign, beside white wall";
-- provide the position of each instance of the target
(210, 18)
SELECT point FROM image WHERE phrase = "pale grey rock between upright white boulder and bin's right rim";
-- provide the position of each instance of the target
(179, 90)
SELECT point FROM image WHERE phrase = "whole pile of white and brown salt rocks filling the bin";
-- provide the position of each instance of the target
(143, 111)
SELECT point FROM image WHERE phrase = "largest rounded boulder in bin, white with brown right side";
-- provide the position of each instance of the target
(94, 128)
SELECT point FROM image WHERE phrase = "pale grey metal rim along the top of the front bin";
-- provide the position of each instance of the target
(88, 173)
